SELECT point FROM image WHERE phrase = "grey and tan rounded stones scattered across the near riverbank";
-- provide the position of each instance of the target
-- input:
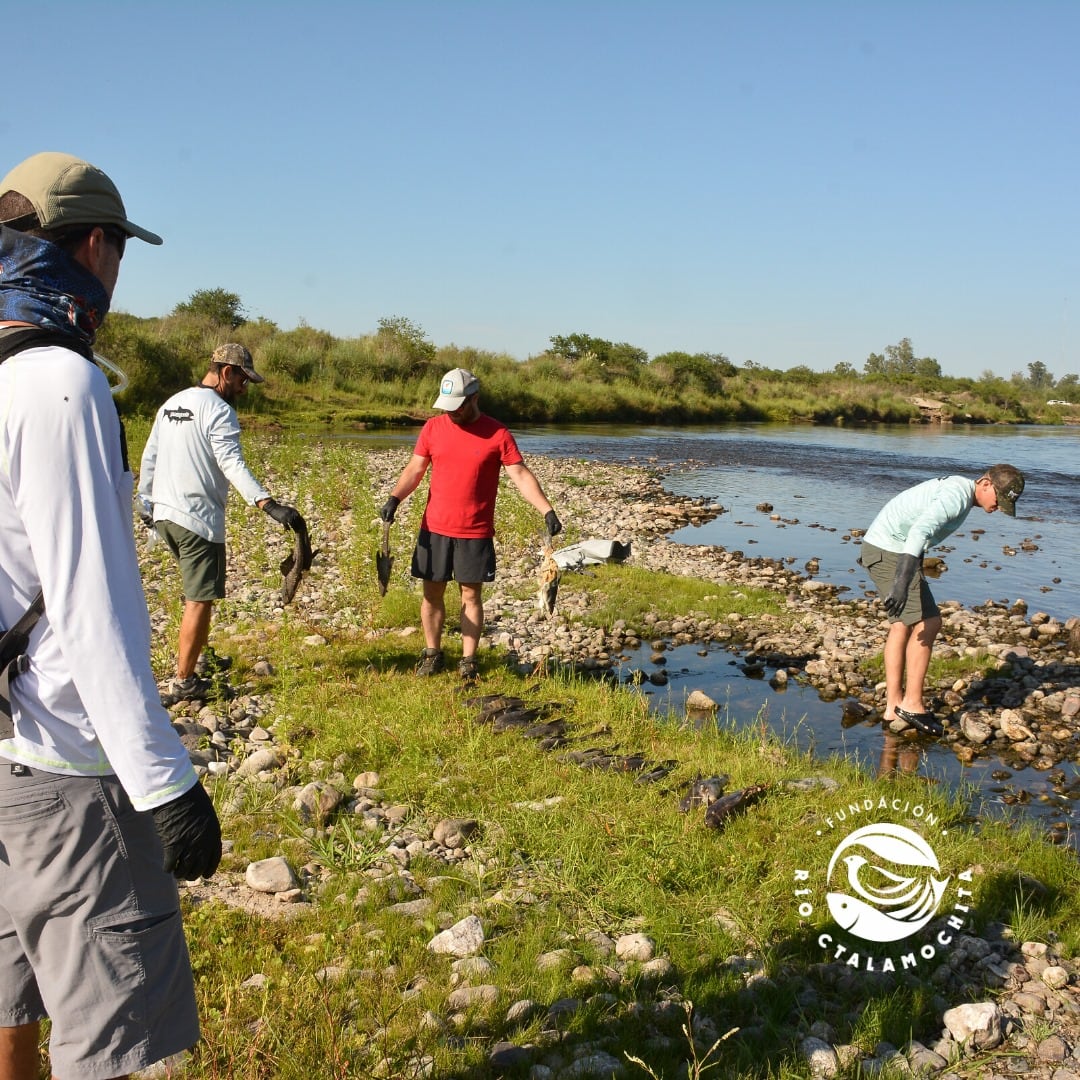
(1020, 1011)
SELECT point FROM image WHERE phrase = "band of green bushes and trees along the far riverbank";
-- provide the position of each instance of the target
(386, 377)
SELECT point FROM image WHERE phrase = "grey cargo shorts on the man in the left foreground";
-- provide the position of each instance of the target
(90, 926)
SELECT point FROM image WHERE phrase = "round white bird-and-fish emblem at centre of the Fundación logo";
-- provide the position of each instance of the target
(894, 883)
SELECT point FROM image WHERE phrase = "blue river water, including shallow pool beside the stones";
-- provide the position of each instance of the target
(823, 482)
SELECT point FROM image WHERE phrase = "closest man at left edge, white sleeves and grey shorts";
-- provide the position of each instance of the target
(90, 920)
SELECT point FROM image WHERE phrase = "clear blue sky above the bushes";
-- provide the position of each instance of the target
(800, 183)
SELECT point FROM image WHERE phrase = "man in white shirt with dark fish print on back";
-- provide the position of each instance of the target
(191, 460)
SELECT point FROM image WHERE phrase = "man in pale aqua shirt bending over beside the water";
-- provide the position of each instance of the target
(893, 551)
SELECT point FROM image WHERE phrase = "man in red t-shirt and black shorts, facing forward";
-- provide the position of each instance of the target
(466, 451)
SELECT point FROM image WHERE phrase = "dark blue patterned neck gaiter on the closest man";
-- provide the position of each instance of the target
(44, 286)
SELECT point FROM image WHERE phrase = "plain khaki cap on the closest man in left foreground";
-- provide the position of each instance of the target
(67, 192)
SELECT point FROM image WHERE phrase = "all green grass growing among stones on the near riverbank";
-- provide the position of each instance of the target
(349, 989)
